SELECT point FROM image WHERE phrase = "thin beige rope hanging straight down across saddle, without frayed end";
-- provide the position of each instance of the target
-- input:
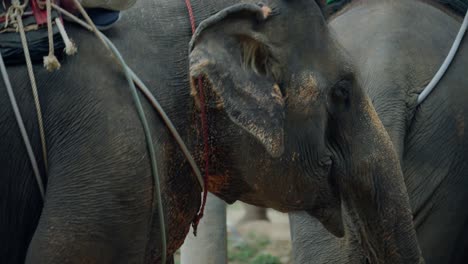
(17, 17)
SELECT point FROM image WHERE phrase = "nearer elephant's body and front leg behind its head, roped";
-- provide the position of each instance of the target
(99, 184)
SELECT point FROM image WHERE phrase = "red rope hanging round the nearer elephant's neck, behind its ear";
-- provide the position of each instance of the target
(204, 123)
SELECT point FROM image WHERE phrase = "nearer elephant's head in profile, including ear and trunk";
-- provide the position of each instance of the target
(292, 125)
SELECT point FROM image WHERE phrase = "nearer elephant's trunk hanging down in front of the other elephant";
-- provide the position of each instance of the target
(374, 192)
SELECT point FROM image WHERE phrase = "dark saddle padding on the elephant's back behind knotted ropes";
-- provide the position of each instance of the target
(35, 26)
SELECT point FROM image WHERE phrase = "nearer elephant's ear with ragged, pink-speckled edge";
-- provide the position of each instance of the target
(230, 52)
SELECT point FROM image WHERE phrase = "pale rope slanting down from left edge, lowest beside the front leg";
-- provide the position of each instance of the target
(24, 133)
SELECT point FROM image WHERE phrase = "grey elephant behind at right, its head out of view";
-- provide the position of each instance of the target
(398, 46)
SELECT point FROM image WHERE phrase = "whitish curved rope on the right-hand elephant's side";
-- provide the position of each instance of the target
(448, 60)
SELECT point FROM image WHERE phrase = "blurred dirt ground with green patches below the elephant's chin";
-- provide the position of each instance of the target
(257, 242)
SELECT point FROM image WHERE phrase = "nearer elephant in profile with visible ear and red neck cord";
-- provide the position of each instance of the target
(287, 123)
